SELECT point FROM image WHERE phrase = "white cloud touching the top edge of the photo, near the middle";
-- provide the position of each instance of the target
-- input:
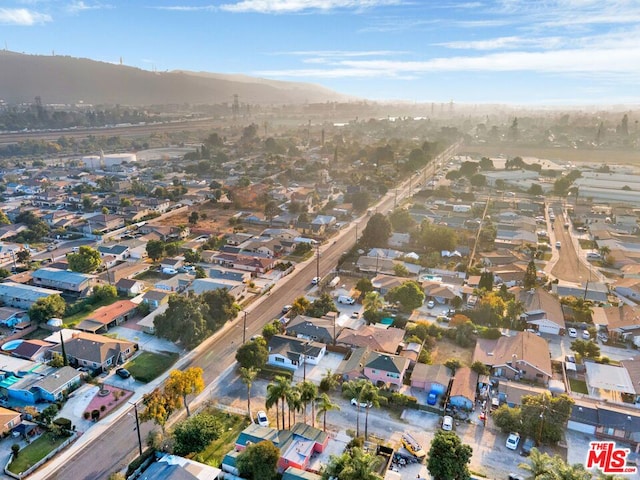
(294, 6)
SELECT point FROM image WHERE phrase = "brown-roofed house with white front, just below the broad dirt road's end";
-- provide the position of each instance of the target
(542, 310)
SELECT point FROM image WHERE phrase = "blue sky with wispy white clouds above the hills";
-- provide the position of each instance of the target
(529, 52)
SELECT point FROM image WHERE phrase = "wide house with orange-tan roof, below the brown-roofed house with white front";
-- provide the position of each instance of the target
(522, 356)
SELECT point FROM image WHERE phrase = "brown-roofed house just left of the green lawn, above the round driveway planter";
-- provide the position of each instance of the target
(96, 352)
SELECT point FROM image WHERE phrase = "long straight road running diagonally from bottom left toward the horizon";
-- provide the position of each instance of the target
(115, 448)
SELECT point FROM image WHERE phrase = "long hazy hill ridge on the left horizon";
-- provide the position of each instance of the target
(60, 79)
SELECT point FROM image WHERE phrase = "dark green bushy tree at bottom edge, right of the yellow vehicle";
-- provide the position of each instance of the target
(449, 457)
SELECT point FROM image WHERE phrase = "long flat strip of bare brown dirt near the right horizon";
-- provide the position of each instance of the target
(562, 154)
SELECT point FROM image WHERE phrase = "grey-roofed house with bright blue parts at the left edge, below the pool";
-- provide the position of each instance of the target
(34, 388)
